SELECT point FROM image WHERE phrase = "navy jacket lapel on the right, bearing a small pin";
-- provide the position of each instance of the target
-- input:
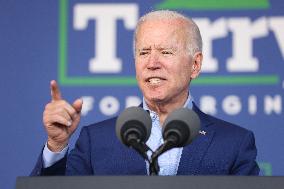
(193, 154)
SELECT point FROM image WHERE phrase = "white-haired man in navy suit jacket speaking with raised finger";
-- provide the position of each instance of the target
(168, 55)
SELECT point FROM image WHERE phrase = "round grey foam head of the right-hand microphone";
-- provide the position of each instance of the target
(183, 124)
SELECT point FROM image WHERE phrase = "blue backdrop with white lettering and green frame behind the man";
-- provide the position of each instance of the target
(87, 46)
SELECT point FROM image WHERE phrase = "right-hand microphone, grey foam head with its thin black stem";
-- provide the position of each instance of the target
(179, 129)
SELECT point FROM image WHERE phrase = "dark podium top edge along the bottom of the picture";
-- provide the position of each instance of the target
(149, 182)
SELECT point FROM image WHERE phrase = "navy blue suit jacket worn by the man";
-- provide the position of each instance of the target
(225, 149)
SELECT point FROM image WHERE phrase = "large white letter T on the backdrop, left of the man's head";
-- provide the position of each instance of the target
(105, 15)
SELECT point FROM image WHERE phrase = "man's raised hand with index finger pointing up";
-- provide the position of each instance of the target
(60, 119)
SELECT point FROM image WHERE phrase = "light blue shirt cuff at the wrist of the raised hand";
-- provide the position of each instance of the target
(50, 158)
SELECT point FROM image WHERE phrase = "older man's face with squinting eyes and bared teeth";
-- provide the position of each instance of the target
(163, 65)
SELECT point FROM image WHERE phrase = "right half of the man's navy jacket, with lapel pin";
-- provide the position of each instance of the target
(222, 148)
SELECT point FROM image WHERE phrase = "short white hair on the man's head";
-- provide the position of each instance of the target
(194, 40)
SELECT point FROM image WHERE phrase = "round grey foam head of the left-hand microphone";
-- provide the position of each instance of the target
(133, 121)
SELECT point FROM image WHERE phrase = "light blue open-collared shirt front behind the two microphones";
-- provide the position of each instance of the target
(168, 161)
